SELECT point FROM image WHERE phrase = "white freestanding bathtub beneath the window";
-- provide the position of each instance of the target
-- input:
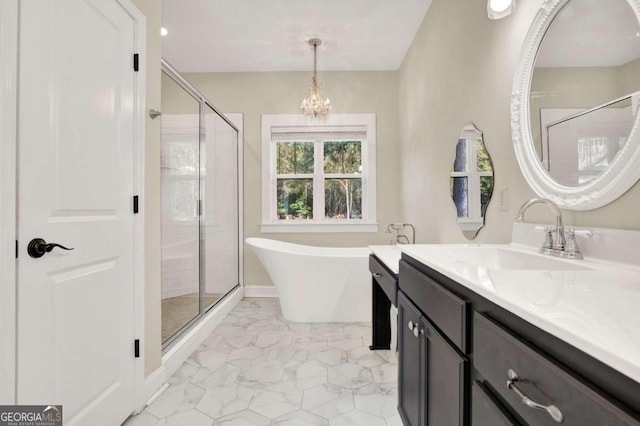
(318, 284)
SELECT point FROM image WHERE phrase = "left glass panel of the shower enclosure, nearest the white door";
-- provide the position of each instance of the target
(181, 187)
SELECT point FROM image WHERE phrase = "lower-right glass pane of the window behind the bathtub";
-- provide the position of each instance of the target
(343, 198)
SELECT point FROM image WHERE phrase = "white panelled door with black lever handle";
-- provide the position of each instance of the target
(75, 187)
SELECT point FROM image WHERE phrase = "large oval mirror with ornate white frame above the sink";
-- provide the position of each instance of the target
(575, 99)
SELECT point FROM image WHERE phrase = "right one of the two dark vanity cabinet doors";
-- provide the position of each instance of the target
(447, 379)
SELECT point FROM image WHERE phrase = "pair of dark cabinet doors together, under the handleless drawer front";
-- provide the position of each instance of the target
(433, 375)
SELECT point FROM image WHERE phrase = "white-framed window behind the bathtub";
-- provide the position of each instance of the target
(318, 177)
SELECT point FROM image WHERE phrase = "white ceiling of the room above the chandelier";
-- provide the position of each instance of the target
(271, 35)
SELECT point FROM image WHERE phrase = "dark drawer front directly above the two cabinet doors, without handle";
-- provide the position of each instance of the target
(449, 312)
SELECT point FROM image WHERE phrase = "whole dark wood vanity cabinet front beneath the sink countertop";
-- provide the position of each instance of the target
(443, 326)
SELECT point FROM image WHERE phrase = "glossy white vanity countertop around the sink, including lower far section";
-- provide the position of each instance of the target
(597, 310)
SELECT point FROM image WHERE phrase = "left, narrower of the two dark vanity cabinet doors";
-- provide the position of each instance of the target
(411, 365)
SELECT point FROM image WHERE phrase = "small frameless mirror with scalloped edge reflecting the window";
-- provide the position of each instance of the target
(471, 180)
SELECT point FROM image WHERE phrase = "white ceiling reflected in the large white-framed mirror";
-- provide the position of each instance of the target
(591, 33)
